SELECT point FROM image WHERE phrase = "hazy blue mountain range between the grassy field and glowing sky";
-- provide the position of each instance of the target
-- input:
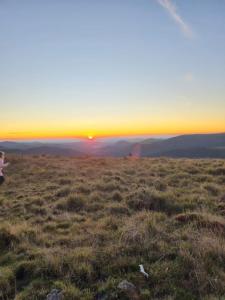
(190, 146)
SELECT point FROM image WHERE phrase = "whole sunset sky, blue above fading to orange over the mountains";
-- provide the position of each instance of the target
(78, 68)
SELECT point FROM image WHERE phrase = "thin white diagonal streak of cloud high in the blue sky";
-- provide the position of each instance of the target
(172, 10)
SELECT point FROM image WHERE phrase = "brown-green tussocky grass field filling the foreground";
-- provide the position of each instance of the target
(82, 225)
